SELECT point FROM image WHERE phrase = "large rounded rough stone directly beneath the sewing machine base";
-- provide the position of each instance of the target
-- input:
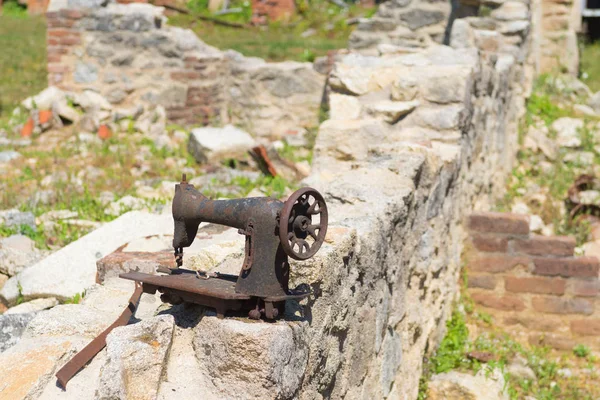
(252, 359)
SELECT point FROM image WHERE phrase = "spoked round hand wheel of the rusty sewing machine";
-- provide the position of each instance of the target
(301, 236)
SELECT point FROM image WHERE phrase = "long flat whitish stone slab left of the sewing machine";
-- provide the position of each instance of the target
(72, 269)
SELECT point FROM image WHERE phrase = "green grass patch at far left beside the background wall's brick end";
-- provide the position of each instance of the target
(22, 57)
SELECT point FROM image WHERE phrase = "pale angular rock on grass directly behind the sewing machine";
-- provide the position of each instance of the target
(209, 145)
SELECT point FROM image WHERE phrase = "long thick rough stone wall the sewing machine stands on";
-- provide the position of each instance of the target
(417, 138)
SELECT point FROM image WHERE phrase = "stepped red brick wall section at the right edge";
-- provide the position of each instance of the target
(533, 285)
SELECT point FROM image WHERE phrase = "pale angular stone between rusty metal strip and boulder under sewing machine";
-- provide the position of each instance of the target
(136, 358)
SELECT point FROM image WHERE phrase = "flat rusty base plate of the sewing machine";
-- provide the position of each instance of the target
(217, 293)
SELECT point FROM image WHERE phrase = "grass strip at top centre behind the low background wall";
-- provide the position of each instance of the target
(281, 41)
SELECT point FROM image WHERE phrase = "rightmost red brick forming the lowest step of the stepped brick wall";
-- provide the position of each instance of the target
(582, 267)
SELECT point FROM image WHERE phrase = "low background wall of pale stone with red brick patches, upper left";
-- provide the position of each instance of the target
(131, 56)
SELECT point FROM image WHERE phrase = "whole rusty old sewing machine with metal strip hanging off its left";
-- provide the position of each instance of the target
(274, 231)
